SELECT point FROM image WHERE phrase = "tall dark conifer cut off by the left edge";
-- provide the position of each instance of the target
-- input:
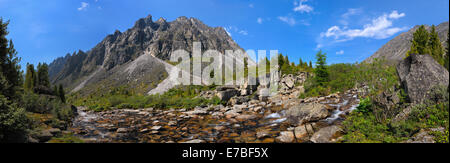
(13, 120)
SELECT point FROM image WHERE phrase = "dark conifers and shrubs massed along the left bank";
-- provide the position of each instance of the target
(21, 101)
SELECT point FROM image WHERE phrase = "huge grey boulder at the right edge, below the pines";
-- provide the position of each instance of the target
(418, 74)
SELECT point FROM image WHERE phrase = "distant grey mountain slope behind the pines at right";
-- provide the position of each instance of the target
(396, 49)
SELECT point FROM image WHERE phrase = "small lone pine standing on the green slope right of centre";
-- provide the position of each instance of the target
(321, 72)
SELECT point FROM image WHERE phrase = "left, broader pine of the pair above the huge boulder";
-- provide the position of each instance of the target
(420, 42)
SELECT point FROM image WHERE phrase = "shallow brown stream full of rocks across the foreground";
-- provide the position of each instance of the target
(279, 119)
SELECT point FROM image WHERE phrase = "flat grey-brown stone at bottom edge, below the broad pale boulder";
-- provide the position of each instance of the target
(325, 135)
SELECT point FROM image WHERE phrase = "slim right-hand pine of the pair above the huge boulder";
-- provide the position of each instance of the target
(437, 51)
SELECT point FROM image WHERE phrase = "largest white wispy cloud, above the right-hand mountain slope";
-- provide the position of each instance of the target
(379, 28)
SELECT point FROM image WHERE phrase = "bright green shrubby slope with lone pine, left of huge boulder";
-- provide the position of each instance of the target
(378, 76)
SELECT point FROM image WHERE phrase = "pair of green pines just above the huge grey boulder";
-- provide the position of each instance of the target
(427, 43)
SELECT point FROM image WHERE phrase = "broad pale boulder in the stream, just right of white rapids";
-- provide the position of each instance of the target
(307, 112)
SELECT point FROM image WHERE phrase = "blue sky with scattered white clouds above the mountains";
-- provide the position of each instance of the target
(348, 31)
